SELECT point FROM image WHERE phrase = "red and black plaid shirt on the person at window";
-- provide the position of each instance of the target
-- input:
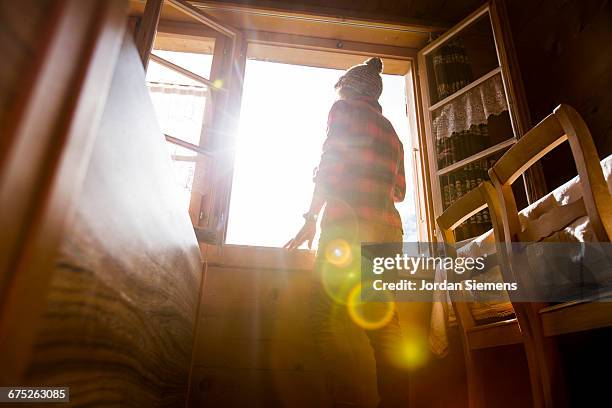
(362, 165)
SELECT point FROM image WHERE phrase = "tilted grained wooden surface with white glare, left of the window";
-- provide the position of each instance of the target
(119, 324)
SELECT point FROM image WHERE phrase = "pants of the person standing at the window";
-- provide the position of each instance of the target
(337, 265)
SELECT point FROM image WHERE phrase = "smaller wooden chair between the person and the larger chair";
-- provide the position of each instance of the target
(476, 336)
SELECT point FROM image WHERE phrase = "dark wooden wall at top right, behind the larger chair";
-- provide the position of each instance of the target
(564, 49)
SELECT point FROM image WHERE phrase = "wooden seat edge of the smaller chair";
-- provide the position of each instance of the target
(501, 333)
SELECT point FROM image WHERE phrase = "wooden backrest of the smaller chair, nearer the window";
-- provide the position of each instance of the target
(475, 200)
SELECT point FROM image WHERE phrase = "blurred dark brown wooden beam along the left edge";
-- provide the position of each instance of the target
(54, 105)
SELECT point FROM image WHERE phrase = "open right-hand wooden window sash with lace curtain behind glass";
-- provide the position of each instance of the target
(474, 109)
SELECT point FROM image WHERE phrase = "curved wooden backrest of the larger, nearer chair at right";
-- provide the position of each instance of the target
(564, 124)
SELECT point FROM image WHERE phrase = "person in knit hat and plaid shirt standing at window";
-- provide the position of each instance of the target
(359, 178)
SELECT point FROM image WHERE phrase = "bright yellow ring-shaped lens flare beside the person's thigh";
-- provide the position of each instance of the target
(370, 311)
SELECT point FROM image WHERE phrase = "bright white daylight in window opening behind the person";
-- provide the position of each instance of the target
(282, 129)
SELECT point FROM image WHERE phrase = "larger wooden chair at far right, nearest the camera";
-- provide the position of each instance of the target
(540, 321)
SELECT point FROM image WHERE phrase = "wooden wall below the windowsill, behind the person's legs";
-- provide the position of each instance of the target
(256, 345)
